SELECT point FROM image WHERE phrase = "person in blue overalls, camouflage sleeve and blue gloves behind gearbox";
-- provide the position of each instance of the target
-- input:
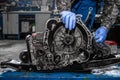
(88, 8)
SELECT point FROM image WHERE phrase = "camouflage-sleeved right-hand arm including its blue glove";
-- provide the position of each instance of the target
(109, 16)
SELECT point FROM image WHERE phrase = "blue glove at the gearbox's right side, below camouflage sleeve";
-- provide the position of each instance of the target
(101, 34)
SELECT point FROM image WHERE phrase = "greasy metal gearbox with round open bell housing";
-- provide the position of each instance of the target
(58, 47)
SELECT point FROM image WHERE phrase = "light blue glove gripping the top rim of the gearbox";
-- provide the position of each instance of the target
(69, 19)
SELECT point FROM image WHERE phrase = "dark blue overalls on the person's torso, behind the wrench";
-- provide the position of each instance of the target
(82, 7)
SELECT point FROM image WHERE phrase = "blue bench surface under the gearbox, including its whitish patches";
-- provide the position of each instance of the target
(109, 73)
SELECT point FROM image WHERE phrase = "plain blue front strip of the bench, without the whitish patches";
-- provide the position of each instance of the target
(55, 76)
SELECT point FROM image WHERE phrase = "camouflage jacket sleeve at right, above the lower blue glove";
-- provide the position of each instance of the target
(110, 13)
